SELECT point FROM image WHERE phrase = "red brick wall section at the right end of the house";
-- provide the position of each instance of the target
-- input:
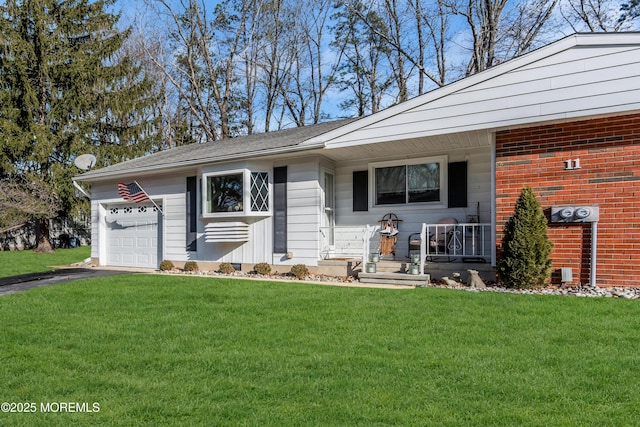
(609, 153)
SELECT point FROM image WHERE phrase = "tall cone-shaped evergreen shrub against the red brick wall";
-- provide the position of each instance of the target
(526, 249)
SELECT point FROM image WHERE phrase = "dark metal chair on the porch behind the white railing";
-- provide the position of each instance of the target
(445, 241)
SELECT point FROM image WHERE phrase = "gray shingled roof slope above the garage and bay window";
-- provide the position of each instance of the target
(228, 149)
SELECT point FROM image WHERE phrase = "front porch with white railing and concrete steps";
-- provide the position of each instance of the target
(438, 250)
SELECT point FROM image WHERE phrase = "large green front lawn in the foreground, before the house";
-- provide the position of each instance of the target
(166, 350)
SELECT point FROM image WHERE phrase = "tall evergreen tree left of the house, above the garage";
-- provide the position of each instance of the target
(66, 90)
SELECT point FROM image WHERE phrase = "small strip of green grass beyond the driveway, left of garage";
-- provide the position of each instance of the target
(22, 262)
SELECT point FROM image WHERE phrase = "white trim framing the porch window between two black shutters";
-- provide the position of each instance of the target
(443, 161)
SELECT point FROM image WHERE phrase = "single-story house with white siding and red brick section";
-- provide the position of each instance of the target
(563, 119)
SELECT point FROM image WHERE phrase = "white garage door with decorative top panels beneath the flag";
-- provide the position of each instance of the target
(133, 232)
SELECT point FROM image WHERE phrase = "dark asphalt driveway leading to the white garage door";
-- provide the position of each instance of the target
(23, 282)
